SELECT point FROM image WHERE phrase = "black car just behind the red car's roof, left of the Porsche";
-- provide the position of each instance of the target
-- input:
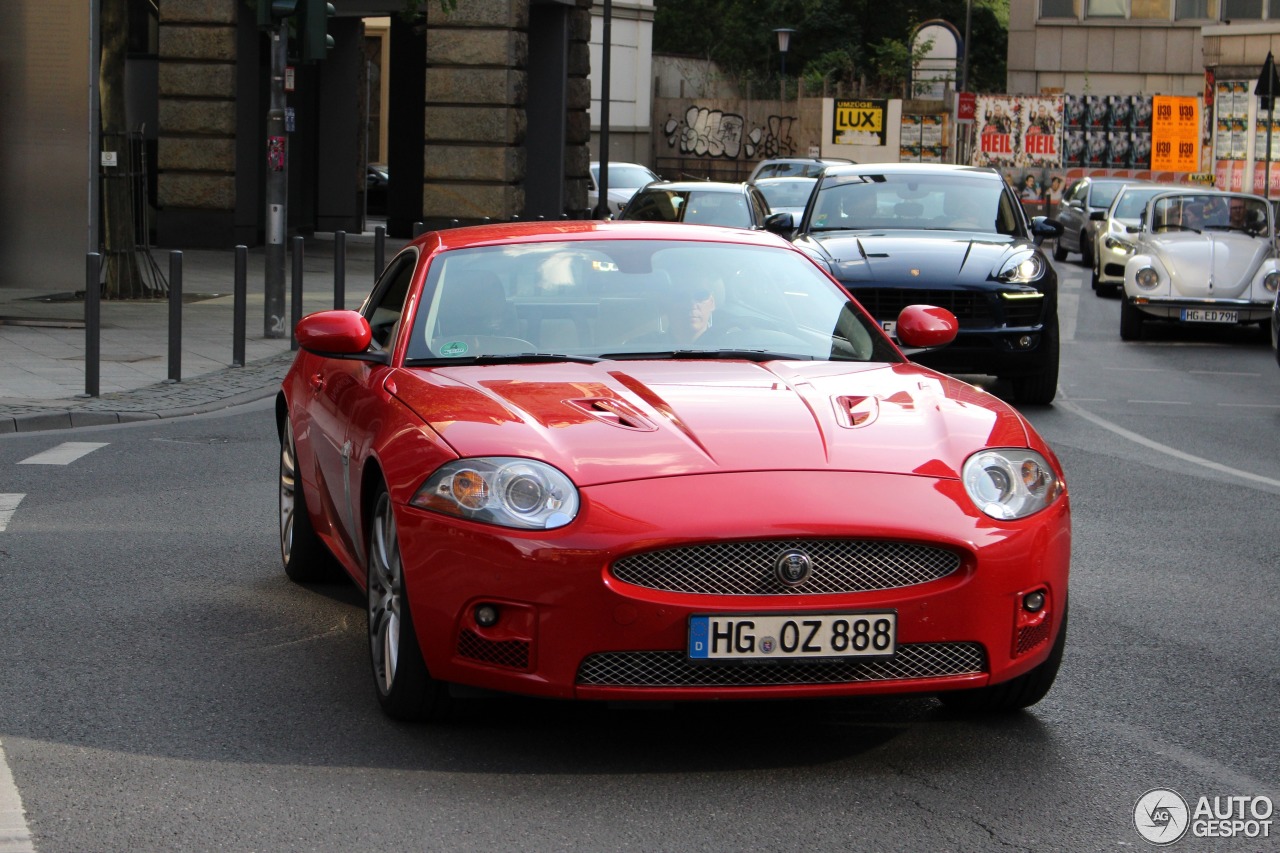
(705, 203)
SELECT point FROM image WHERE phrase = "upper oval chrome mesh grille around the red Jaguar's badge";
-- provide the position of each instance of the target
(749, 568)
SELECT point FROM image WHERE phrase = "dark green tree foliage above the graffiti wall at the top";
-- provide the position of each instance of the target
(851, 42)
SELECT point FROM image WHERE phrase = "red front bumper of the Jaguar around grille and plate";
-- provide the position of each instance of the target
(573, 628)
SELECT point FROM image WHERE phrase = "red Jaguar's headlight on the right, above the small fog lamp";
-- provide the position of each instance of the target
(1011, 483)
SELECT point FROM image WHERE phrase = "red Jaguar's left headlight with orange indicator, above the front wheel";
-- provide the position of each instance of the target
(506, 491)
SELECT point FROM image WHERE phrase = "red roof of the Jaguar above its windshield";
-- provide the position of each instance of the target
(589, 230)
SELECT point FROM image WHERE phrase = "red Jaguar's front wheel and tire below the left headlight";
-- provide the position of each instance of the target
(406, 690)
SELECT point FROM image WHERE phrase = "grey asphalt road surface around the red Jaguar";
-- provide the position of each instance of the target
(163, 687)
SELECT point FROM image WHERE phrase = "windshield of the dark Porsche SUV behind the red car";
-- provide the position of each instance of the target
(930, 202)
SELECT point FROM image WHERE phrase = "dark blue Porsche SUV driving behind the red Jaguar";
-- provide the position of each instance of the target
(899, 235)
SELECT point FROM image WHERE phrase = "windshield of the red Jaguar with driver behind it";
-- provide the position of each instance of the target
(621, 298)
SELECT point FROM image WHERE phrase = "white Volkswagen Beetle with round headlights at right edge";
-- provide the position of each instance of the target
(1201, 258)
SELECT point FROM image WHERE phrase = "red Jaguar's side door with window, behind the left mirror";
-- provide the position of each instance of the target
(349, 398)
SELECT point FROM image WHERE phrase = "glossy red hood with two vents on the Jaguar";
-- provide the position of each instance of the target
(624, 421)
